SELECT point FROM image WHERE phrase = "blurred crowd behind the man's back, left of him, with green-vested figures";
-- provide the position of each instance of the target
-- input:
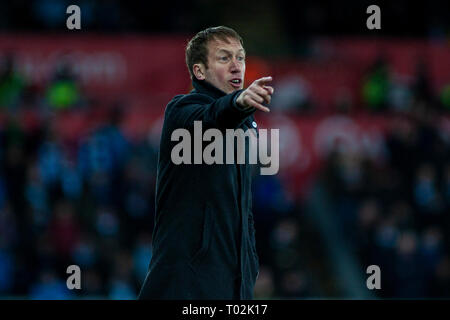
(87, 202)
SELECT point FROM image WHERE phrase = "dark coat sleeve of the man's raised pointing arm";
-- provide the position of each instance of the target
(220, 113)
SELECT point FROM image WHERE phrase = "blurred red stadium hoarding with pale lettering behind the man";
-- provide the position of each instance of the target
(148, 71)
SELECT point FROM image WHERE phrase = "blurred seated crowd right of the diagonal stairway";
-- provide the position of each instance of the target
(394, 210)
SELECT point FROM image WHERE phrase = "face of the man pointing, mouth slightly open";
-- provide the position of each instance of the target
(226, 65)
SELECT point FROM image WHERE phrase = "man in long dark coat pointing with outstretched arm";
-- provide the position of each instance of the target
(204, 239)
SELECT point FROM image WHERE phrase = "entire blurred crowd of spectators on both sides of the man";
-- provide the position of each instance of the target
(89, 201)
